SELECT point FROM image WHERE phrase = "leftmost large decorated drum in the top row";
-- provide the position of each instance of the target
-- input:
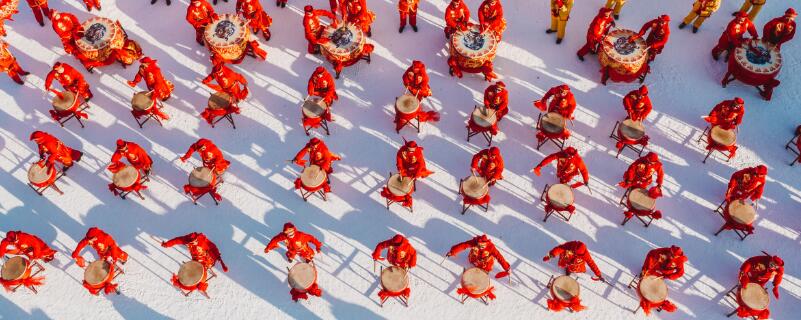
(101, 36)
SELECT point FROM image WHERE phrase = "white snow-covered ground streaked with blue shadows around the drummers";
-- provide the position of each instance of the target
(259, 195)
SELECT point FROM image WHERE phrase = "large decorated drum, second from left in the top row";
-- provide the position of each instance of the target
(227, 37)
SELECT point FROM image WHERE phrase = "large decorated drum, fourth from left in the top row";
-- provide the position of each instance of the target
(473, 48)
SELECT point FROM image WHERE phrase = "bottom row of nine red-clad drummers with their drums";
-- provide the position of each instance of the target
(23, 269)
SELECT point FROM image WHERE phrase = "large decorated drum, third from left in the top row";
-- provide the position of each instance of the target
(347, 43)
